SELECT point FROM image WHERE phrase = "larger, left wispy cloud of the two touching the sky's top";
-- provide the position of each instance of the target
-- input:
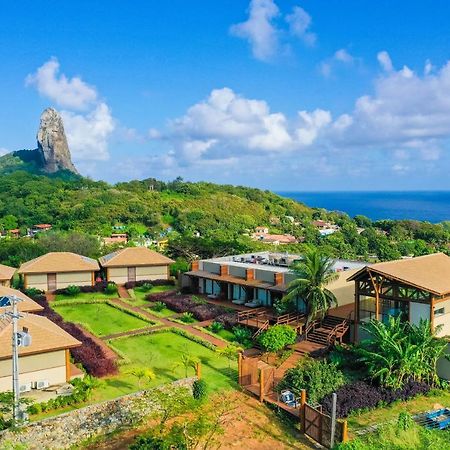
(259, 29)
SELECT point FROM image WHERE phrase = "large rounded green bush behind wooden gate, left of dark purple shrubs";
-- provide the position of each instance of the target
(318, 378)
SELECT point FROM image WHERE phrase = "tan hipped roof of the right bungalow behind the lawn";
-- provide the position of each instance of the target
(134, 256)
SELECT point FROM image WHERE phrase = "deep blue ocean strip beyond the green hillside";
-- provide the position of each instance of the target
(430, 206)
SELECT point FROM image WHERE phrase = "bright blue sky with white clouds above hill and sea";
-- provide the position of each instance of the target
(284, 95)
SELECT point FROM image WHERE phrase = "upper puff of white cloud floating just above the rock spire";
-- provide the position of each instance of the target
(71, 93)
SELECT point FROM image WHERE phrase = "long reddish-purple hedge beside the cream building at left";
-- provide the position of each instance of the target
(89, 354)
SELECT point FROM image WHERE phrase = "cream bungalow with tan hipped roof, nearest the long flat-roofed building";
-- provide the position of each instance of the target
(135, 264)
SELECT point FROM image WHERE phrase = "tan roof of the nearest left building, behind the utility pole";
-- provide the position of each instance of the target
(46, 336)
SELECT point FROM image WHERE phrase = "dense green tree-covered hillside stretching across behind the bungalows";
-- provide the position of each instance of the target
(199, 219)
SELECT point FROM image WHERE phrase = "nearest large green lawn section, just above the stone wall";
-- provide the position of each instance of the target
(161, 352)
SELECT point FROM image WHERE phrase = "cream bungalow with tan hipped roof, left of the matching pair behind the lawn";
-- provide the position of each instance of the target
(57, 270)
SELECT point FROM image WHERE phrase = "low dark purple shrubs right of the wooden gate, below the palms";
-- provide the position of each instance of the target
(362, 395)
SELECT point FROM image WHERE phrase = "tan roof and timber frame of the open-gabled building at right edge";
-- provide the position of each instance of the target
(422, 280)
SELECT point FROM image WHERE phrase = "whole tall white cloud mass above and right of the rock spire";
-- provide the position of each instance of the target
(88, 120)
